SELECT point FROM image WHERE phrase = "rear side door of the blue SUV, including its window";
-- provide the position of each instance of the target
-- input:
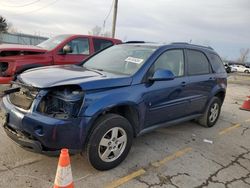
(201, 80)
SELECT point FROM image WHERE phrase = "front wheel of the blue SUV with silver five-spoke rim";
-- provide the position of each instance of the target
(105, 148)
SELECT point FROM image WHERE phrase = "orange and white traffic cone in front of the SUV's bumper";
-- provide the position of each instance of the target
(64, 177)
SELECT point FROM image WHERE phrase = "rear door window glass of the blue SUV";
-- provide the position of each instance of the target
(197, 63)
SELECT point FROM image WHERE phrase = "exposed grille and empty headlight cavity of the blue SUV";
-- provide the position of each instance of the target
(59, 102)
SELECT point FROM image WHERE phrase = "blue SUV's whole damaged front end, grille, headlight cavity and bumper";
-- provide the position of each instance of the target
(44, 120)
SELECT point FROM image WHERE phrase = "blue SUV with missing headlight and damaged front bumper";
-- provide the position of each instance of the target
(117, 94)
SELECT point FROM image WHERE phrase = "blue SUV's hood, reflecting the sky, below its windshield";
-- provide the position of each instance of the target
(47, 77)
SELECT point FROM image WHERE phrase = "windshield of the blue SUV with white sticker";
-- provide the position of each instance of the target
(120, 59)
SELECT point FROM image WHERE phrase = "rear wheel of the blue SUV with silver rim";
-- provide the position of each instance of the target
(212, 113)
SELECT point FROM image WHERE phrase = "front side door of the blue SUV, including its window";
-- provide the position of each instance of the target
(166, 100)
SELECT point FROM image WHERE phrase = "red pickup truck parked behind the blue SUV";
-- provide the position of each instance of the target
(62, 49)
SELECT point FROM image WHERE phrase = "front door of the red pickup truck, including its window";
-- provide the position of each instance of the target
(80, 50)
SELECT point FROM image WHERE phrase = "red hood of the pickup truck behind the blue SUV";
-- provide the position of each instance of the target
(19, 47)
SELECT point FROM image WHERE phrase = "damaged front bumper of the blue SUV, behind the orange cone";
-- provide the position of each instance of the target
(41, 134)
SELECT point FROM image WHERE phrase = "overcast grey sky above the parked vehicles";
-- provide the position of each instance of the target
(222, 24)
